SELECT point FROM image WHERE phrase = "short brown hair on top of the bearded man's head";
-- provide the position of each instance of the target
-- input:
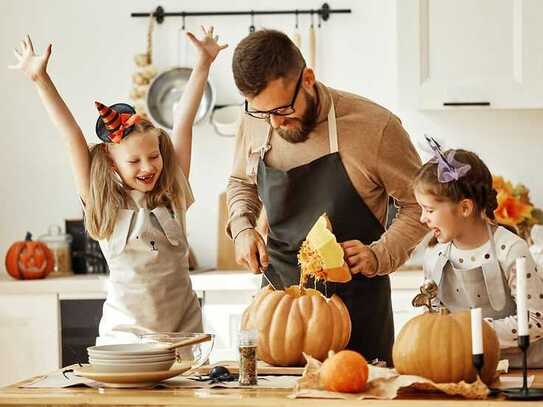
(264, 56)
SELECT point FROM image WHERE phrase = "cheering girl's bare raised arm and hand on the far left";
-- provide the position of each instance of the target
(35, 68)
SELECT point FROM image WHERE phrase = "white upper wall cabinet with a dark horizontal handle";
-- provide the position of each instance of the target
(466, 53)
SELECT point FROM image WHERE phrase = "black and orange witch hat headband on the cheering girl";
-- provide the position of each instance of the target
(115, 121)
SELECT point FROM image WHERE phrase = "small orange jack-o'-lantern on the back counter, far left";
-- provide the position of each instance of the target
(29, 260)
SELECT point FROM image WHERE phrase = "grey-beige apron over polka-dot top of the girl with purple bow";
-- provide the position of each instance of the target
(481, 287)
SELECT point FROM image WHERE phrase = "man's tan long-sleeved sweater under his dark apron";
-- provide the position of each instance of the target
(376, 152)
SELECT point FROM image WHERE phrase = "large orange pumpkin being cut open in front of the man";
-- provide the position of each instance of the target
(297, 320)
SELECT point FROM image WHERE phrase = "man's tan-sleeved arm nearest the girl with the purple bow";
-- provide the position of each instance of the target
(397, 164)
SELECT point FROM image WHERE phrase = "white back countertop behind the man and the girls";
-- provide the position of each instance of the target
(94, 285)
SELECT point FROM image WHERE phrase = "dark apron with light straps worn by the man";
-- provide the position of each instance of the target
(293, 201)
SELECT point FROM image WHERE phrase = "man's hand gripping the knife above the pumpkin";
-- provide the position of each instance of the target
(251, 250)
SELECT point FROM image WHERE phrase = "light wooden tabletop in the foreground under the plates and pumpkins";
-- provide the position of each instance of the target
(12, 395)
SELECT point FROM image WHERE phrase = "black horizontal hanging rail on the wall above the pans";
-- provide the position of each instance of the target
(324, 12)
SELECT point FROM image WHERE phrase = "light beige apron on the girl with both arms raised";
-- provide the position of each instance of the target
(149, 288)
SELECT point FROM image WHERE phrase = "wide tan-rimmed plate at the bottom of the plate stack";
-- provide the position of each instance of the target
(127, 380)
